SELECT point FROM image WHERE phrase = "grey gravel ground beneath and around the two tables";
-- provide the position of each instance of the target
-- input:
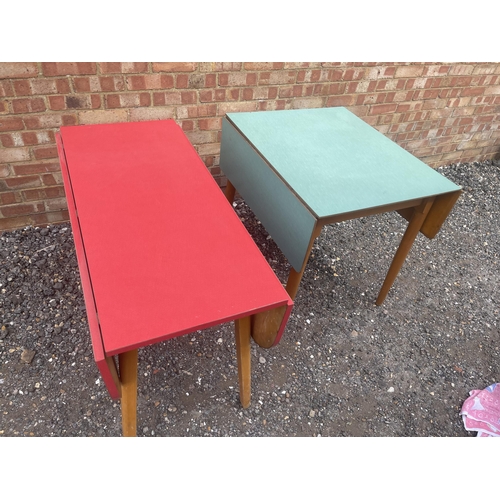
(344, 366)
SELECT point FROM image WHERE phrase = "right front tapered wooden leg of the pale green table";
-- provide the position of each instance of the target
(411, 232)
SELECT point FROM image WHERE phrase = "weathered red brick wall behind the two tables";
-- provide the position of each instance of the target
(441, 112)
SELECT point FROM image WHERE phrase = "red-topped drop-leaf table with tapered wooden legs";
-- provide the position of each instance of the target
(161, 252)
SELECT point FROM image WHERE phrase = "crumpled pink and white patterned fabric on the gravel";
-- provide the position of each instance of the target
(481, 411)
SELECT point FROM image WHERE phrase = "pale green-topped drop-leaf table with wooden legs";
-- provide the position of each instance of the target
(300, 170)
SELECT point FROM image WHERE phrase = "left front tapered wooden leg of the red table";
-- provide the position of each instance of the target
(128, 378)
